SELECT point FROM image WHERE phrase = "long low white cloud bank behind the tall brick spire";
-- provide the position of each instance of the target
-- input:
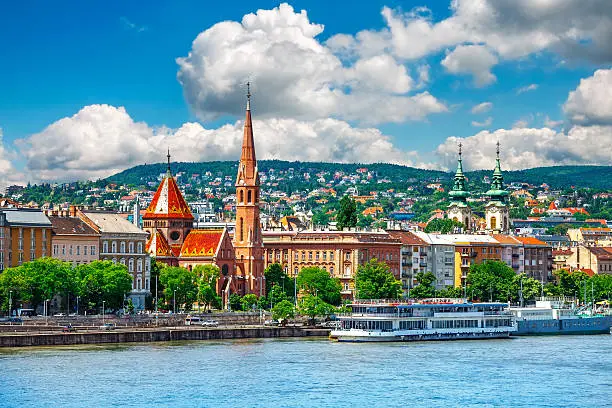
(71, 148)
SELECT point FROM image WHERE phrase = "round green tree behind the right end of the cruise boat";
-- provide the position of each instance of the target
(491, 280)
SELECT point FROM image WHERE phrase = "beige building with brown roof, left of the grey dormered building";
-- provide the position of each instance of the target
(73, 240)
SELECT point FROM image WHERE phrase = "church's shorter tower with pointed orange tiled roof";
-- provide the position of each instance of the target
(168, 220)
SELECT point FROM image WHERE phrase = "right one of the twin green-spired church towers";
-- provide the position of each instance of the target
(496, 209)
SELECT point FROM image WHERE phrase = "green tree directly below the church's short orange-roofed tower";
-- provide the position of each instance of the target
(180, 284)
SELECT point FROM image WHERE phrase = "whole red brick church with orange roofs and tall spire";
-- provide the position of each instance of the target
(173, 241)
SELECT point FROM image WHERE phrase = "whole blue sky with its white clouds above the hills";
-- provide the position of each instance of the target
(59, 58)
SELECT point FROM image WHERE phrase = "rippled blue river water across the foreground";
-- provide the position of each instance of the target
(562, 371)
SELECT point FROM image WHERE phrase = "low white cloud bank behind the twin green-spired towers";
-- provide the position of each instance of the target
(531, 147)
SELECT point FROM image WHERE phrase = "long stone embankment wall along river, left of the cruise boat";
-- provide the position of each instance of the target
(151, 335)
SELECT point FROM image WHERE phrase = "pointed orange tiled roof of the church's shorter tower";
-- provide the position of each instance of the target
(168, 202)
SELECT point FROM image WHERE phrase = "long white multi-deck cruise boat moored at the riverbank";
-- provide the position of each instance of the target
(429, 319)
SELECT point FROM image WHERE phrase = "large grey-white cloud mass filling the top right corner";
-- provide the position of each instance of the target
(509, 29)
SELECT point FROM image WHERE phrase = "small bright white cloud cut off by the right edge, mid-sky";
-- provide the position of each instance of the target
(591, 101)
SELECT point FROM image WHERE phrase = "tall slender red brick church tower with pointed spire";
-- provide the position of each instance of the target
(247, 235)
